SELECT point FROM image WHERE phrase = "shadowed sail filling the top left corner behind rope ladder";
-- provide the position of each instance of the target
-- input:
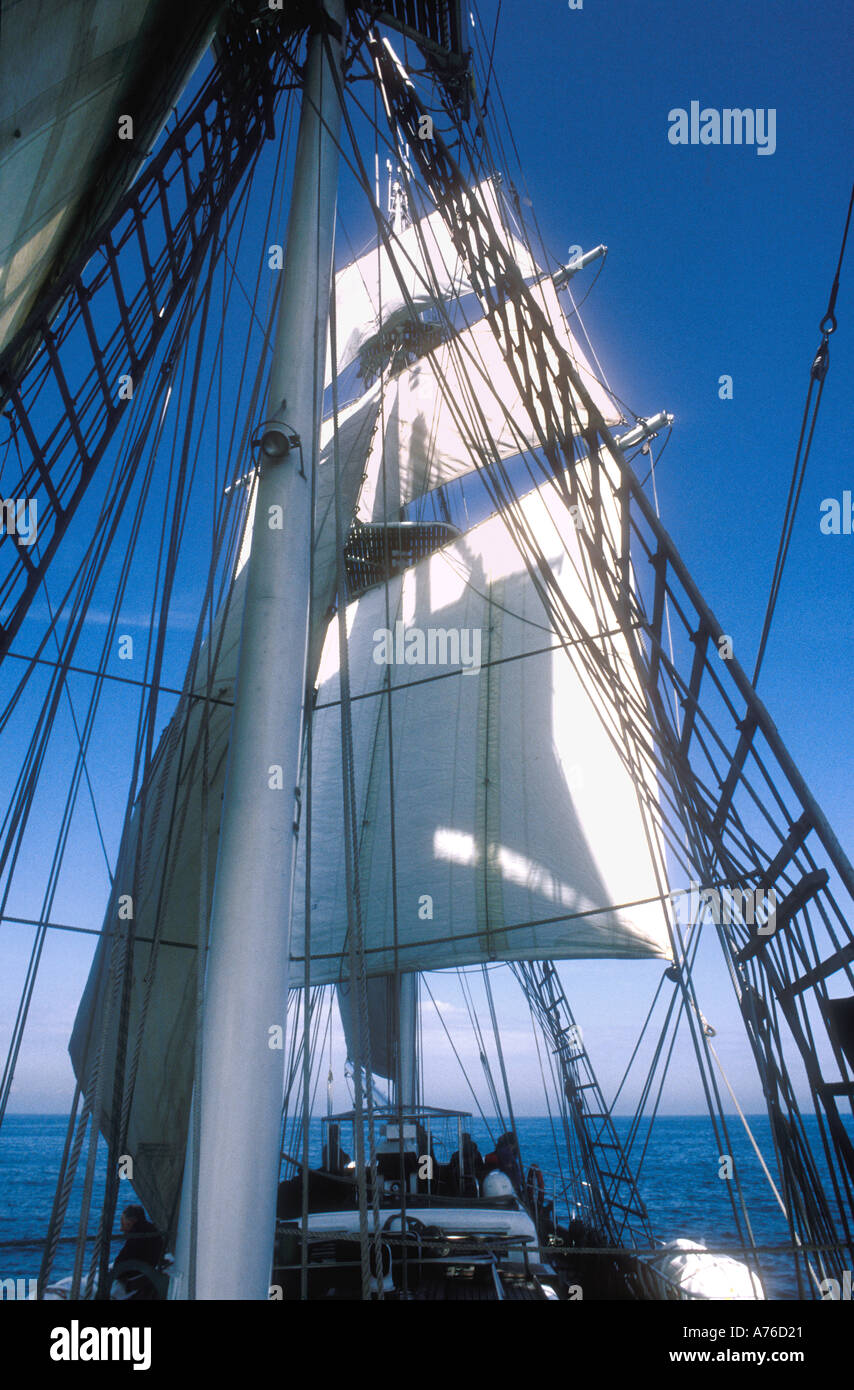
(66, 74)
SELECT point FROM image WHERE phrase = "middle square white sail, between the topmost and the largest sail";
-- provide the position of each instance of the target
(460, 407)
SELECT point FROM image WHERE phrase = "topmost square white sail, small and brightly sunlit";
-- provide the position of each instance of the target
(369, 293)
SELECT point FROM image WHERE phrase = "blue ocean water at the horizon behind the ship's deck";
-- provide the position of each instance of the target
(679, 1181)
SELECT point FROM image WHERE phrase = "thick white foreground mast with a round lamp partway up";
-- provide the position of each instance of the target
(247, 985)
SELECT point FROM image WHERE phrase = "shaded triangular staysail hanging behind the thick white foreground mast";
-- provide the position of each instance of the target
(168, 888)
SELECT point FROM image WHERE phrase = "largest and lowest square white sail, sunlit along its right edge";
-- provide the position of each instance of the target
(521, 832)
